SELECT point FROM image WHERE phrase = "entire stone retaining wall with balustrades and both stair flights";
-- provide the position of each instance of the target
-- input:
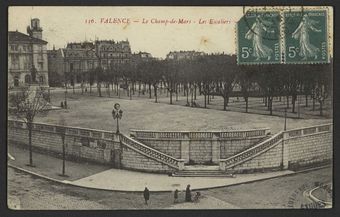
(242, 150)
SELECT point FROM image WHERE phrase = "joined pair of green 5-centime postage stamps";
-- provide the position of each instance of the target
(283, 36)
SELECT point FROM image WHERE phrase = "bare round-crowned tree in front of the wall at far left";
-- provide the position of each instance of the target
(25, 104)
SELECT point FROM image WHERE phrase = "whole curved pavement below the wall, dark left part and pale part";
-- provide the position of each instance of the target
(101, 177)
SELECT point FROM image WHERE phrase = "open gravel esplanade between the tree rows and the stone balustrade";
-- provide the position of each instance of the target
(95, 112)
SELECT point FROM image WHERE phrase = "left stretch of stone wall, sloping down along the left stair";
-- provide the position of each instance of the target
(88, 144)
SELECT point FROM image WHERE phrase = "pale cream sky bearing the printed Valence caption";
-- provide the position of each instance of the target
(68, 24)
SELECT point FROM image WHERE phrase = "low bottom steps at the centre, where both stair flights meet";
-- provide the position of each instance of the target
(201, 171)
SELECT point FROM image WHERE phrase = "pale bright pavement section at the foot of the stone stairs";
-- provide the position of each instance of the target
(124, 180)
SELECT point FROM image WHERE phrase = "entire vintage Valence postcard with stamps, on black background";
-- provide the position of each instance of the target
(113, 107)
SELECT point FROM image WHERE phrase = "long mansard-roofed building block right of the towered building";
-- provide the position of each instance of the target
(74, 61)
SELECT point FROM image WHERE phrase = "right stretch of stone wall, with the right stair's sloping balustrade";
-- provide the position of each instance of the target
(297, 148)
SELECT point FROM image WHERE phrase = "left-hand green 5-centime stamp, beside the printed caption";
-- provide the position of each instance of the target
(258, 35)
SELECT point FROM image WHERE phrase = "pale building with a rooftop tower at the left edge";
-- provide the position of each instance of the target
(27, 57)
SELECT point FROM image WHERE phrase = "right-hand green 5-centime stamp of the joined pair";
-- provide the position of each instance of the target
(306, 36)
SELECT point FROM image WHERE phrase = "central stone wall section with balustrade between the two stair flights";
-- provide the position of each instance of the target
(201, 147)
